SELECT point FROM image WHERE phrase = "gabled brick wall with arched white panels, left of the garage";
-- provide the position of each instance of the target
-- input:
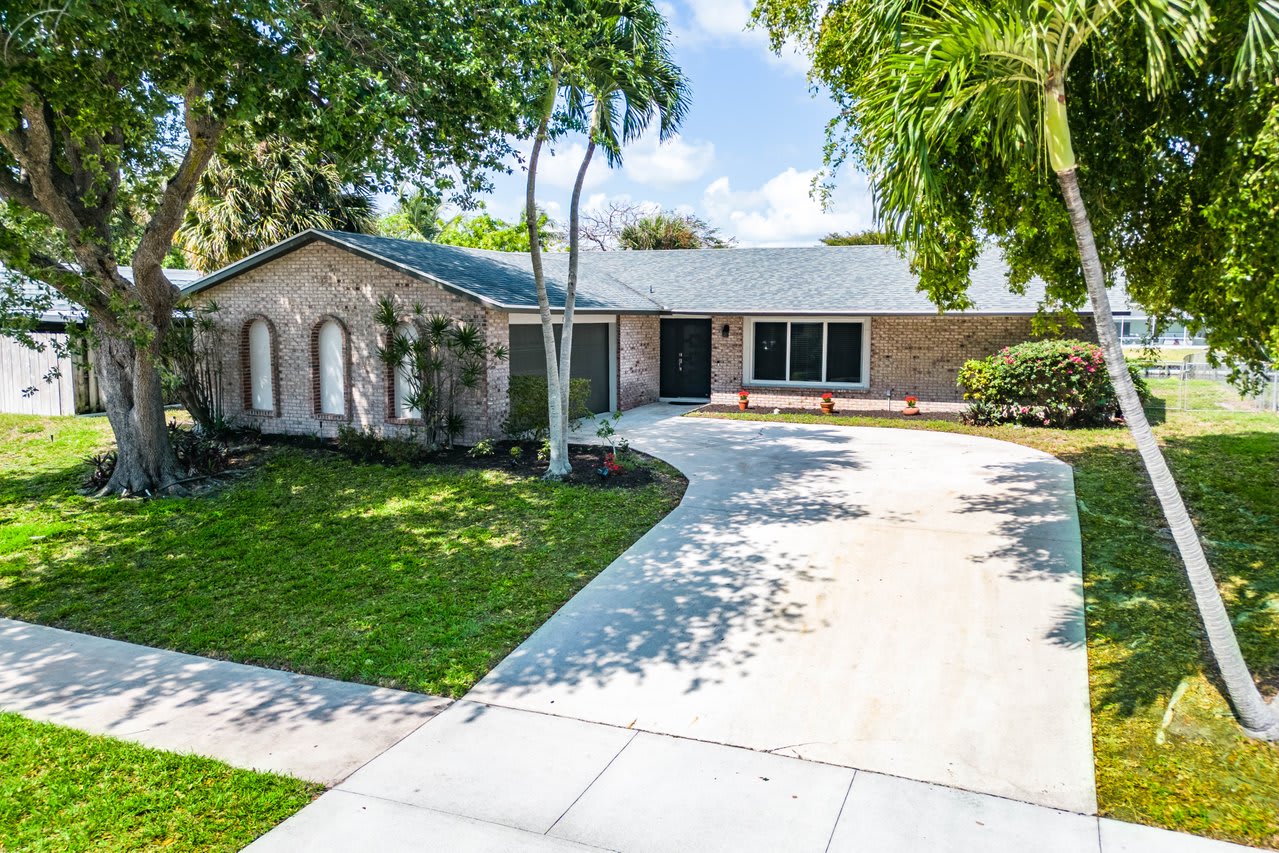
(296, 293)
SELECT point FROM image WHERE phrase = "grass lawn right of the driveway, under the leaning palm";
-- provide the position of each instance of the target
(1197, 773)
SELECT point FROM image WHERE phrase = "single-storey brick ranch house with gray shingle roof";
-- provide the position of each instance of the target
(786, 324)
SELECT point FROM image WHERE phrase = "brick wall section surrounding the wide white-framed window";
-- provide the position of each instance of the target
(910, 355)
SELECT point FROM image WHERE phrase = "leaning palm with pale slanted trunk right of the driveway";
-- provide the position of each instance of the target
(952, 72)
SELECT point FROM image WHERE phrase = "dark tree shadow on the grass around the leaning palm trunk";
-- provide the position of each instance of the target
(1145, 630)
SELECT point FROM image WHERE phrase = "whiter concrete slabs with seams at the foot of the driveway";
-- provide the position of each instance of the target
(490, 779)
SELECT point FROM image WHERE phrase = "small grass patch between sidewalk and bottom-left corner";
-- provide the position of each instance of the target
(67, 791)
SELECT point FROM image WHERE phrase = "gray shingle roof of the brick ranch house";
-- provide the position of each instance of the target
(850, 281)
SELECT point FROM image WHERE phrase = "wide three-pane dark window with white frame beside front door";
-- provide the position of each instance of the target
(808, 352)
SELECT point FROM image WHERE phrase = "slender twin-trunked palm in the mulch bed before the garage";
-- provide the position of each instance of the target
(617, 80)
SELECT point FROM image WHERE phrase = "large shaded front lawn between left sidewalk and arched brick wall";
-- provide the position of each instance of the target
(420, 579)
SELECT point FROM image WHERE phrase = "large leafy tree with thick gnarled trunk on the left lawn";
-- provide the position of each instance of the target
(98, 98)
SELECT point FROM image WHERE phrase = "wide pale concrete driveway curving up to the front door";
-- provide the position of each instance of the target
(900, 602)
